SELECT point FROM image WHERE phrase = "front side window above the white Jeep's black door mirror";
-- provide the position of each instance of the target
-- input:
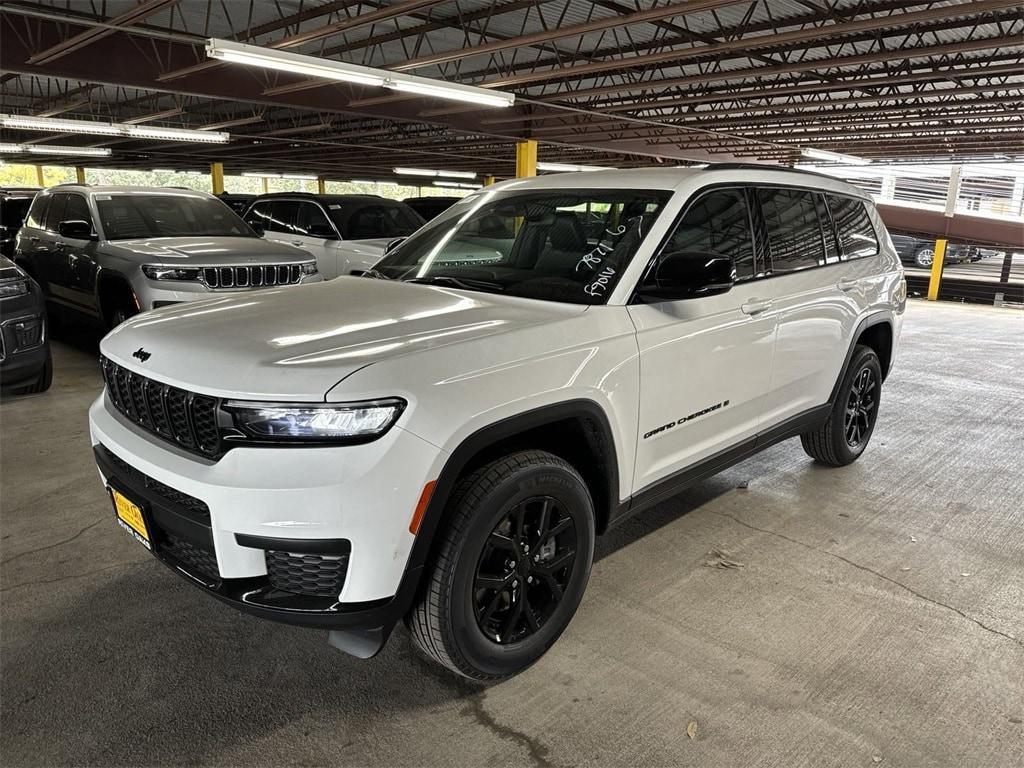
(719, 223)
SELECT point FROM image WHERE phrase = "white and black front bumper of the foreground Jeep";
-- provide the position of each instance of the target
(219, 523)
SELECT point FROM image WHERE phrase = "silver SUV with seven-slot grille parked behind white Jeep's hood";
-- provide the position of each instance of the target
(110, 252)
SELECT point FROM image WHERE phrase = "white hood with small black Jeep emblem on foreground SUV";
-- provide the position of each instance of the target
(296, 344)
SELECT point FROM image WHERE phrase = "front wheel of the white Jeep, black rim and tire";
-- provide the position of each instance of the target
(484, 583)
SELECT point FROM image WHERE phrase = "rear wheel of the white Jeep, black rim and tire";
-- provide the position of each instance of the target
(844, 436)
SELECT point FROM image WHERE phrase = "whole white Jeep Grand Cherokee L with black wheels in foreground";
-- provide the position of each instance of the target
(442, 441)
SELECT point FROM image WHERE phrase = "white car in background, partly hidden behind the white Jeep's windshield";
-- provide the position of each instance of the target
(348, 234)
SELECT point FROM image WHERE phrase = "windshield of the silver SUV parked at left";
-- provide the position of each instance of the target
(136, 217)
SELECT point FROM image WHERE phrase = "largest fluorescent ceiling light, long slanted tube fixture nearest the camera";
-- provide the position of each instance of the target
(298, 64)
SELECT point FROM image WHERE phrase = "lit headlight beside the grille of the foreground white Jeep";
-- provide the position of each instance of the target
(342, 422)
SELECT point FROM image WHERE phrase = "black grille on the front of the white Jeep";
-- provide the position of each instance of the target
(188, 419)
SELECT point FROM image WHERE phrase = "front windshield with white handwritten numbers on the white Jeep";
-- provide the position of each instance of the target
(562, 245)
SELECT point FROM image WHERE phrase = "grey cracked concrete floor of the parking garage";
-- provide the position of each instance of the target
(876, 615)
